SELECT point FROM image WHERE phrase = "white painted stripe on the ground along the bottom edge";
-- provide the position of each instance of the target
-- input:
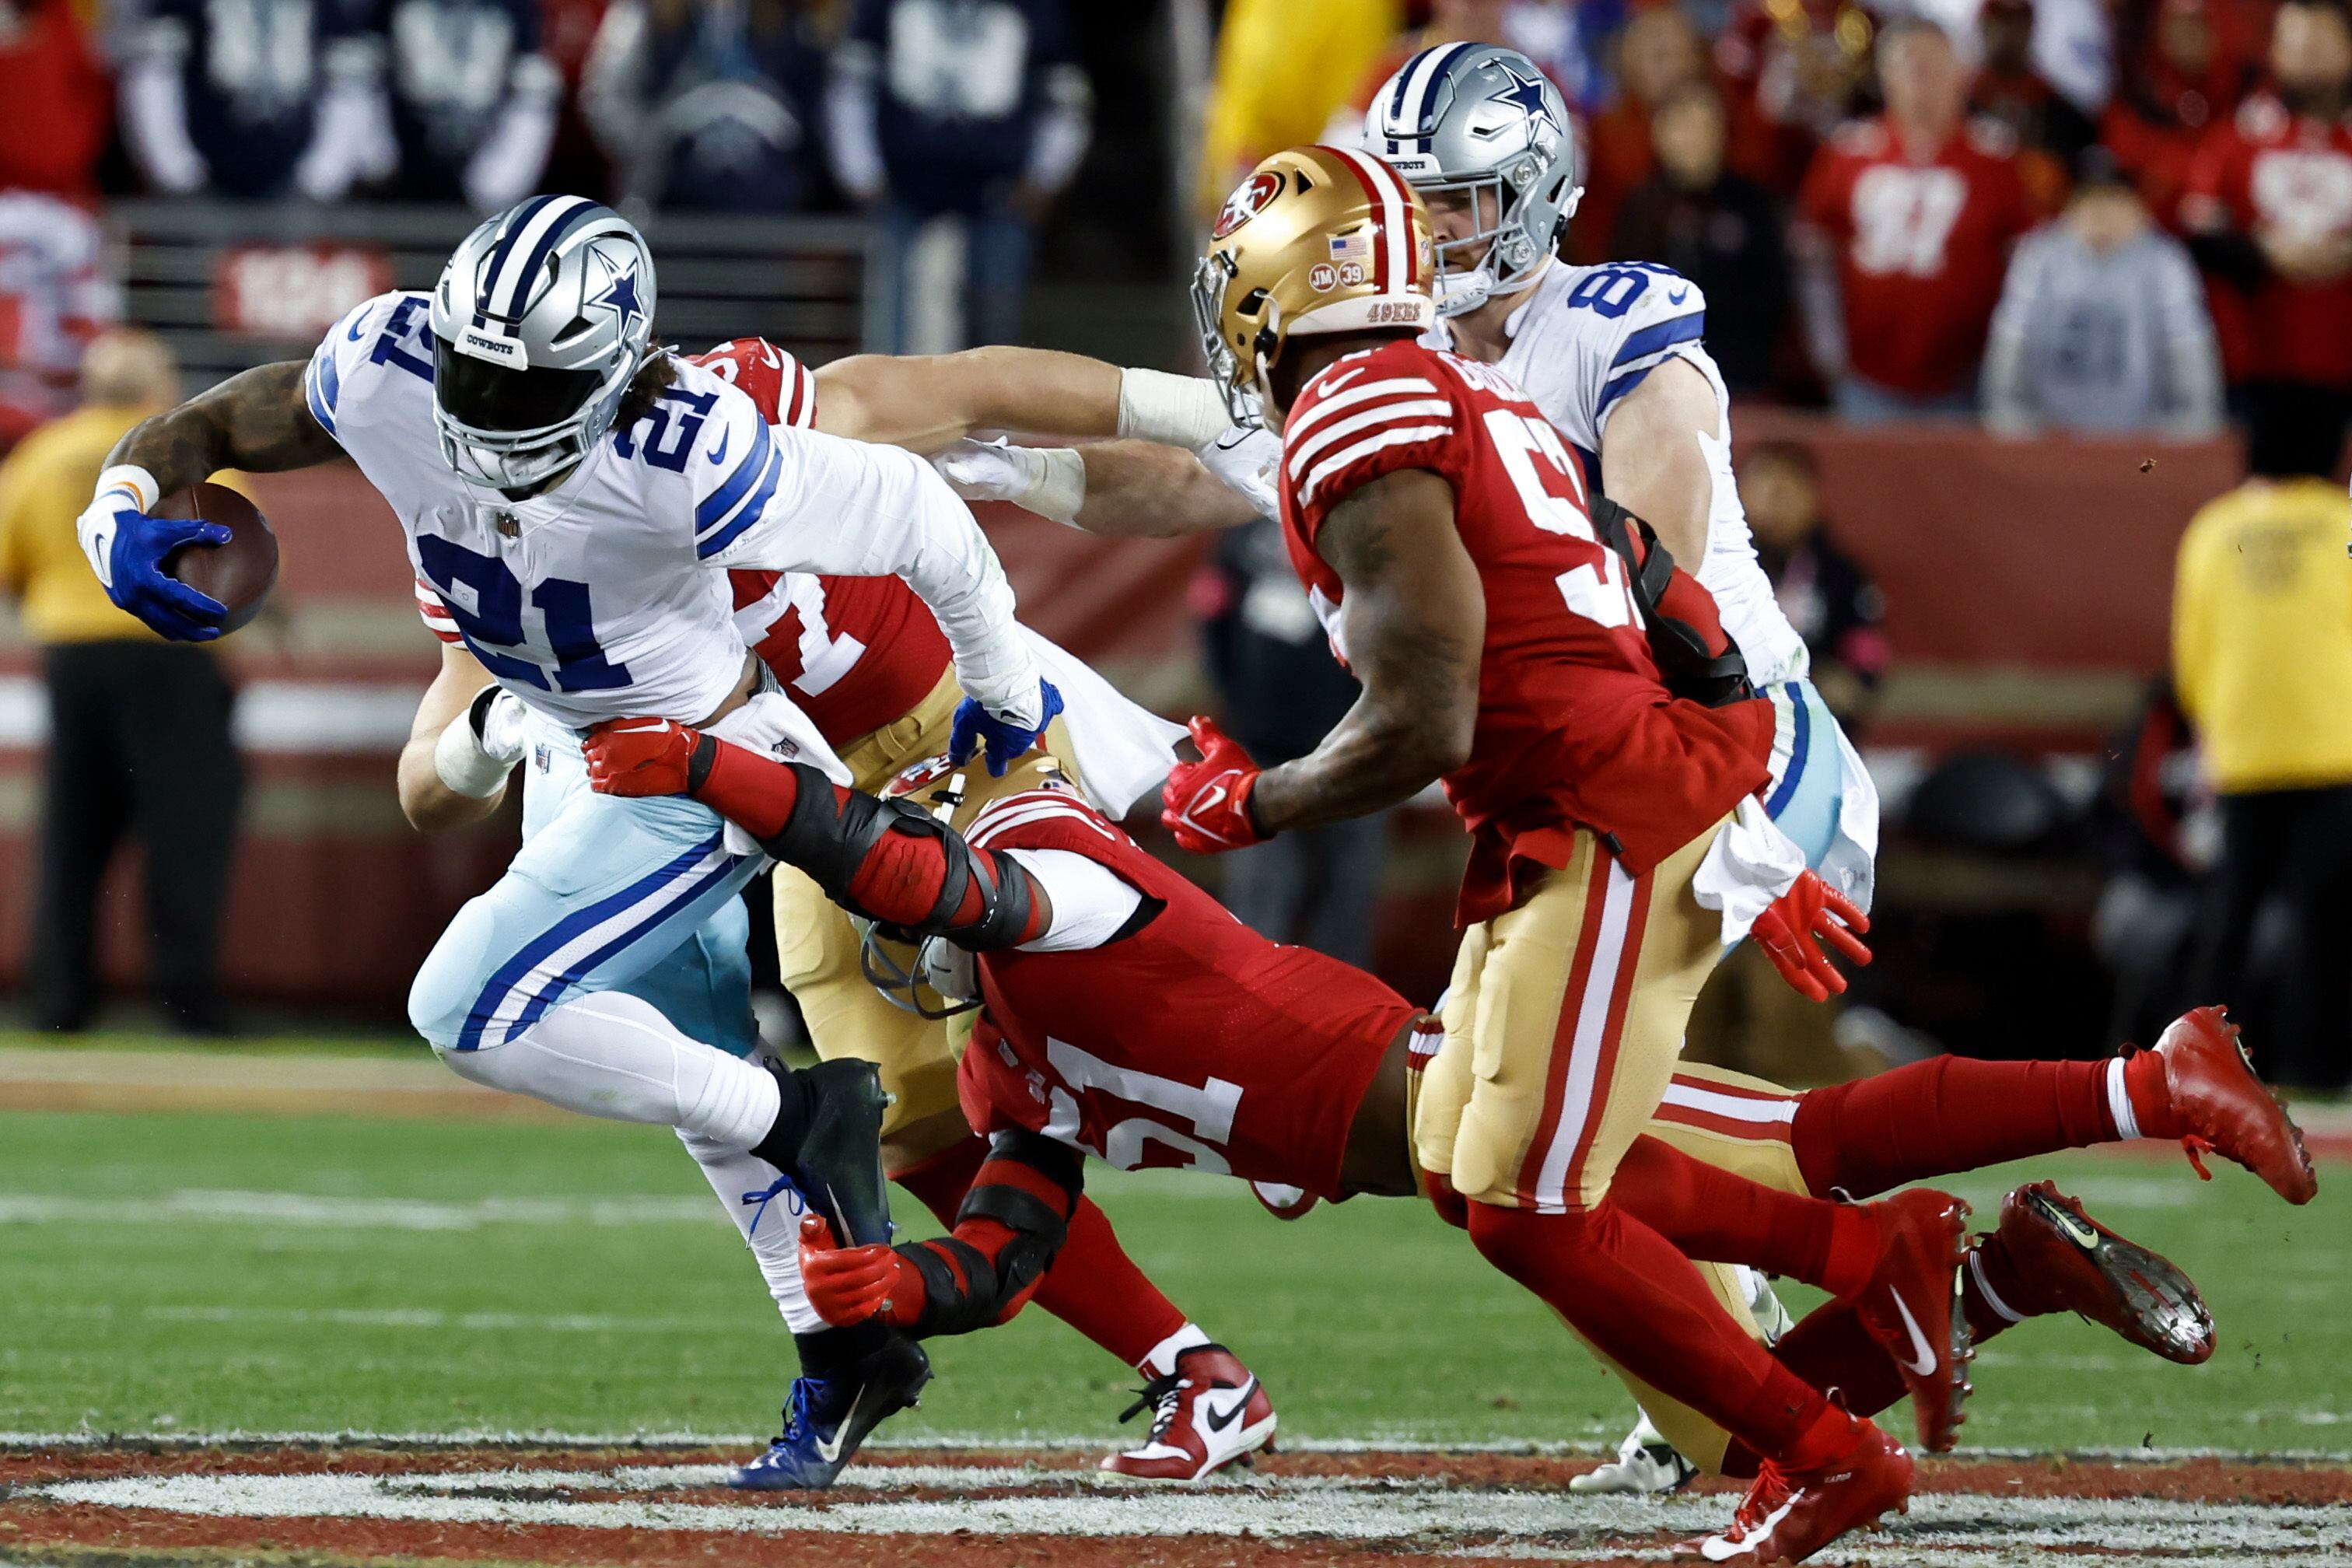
(1963, 1529)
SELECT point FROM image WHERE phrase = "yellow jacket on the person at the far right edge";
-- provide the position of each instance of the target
(2264, 636)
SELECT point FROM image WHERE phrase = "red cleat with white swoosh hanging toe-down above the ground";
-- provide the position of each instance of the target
(1911, 1306)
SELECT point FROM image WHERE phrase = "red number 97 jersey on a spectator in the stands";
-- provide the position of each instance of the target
(1923, 248)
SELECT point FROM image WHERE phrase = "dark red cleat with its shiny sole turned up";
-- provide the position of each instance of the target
(2076, 1264)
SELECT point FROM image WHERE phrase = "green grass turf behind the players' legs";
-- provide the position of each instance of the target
(180, 1273)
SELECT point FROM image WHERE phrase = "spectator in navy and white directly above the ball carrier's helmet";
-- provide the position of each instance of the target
(472, 100)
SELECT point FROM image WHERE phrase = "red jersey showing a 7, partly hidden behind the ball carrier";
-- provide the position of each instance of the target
(857, 652)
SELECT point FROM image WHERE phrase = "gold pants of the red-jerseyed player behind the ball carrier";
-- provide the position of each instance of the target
(817, 949)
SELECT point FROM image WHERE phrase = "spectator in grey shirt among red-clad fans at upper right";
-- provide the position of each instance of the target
(2104, 323)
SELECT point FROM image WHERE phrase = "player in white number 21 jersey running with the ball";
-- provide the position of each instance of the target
(575, 497)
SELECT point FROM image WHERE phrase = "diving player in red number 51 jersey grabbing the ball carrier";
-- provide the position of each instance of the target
(1278, 1064)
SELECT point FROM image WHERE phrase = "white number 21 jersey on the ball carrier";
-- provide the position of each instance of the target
(610, 596)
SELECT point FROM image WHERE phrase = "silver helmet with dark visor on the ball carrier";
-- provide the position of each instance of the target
(540, 323)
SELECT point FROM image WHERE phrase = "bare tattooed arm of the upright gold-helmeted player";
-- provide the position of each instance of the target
(1415, 622)
